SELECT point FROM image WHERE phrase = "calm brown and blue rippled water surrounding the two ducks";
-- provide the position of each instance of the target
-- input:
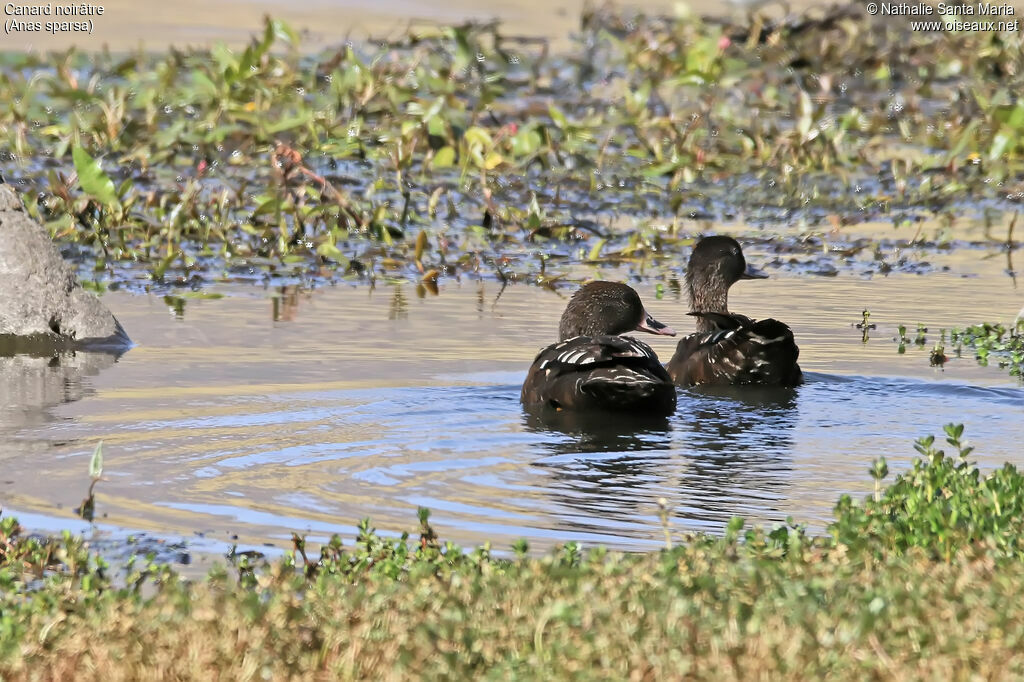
(272, 411)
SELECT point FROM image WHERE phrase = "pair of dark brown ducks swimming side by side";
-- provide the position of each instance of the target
(592, 368)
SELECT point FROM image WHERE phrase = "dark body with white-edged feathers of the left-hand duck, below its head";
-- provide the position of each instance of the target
(614, 373)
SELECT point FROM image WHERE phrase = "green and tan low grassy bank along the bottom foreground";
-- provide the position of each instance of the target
(921, 580)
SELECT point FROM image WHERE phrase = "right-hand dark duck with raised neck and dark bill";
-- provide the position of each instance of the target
(730, 349)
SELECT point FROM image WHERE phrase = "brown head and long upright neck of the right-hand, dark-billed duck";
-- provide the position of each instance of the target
(716, 265)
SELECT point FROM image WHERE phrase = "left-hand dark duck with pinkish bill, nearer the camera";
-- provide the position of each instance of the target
(593, 367)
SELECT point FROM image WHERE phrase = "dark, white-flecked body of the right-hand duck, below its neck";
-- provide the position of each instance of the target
(740, 351)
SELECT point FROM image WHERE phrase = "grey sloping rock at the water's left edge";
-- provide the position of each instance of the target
(42, 306)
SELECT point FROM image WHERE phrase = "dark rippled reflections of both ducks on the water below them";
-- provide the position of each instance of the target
(727, 445)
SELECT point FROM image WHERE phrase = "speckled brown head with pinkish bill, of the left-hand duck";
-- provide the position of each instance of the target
(608, 308)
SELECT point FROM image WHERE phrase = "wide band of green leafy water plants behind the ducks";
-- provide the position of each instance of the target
(193, 166)
